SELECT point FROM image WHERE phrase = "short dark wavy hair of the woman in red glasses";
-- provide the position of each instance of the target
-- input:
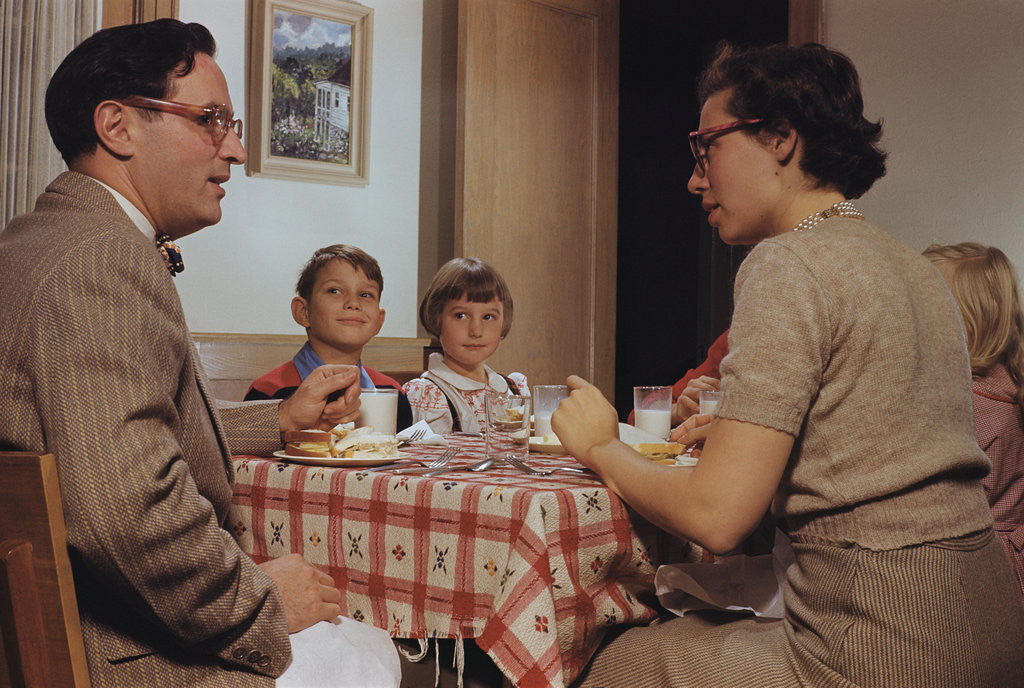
(813, 90)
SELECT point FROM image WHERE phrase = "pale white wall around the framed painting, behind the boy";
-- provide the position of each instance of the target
(240, 275)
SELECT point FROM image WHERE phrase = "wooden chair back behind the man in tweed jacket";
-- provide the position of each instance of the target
(41, 632)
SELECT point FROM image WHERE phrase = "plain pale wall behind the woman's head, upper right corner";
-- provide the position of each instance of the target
(948, 79)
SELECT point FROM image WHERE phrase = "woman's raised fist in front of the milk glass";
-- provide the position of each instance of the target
(585, 420)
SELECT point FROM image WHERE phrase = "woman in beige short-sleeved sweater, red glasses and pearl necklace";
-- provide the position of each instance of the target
(846, 410)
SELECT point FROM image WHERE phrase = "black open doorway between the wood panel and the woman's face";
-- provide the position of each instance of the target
(675, 276)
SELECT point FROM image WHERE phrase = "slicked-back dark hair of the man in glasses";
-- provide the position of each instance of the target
(113, 64)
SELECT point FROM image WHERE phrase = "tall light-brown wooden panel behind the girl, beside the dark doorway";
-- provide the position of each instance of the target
(537, 132)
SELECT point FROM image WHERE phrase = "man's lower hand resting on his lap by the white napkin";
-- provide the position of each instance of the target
(309, 593)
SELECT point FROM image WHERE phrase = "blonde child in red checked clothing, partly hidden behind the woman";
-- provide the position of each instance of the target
(987, 289)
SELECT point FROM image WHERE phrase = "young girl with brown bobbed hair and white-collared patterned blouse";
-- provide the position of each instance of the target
(468, 308)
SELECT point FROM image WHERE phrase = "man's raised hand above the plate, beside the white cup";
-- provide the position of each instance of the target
(309, 408)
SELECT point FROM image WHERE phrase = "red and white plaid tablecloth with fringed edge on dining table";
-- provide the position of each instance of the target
(536, 570)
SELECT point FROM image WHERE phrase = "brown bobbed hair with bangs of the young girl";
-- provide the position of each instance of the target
(472, 279)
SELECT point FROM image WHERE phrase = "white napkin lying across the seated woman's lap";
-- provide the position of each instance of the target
(738, 583)
